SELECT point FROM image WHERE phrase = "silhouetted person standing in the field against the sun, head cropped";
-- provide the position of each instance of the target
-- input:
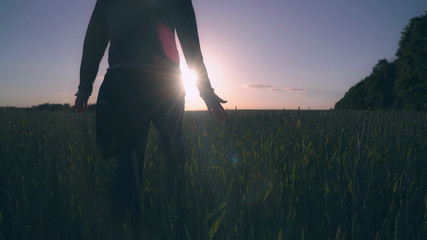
(142, 86)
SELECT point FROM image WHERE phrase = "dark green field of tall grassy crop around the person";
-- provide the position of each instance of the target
(260, 175)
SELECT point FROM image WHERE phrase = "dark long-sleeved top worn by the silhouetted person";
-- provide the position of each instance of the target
(141, 33)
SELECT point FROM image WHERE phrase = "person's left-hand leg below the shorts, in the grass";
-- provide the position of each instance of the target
(126, 192)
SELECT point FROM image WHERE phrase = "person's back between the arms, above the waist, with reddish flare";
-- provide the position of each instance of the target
(142, 33)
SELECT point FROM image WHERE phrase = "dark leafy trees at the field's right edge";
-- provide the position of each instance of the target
(400, 84)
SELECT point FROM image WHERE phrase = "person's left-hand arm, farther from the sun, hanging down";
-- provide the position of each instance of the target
(95, 43)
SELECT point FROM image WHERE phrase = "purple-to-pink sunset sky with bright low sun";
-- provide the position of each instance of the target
(269, 54)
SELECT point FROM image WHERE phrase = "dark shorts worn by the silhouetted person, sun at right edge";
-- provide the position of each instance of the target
(129, 99)
